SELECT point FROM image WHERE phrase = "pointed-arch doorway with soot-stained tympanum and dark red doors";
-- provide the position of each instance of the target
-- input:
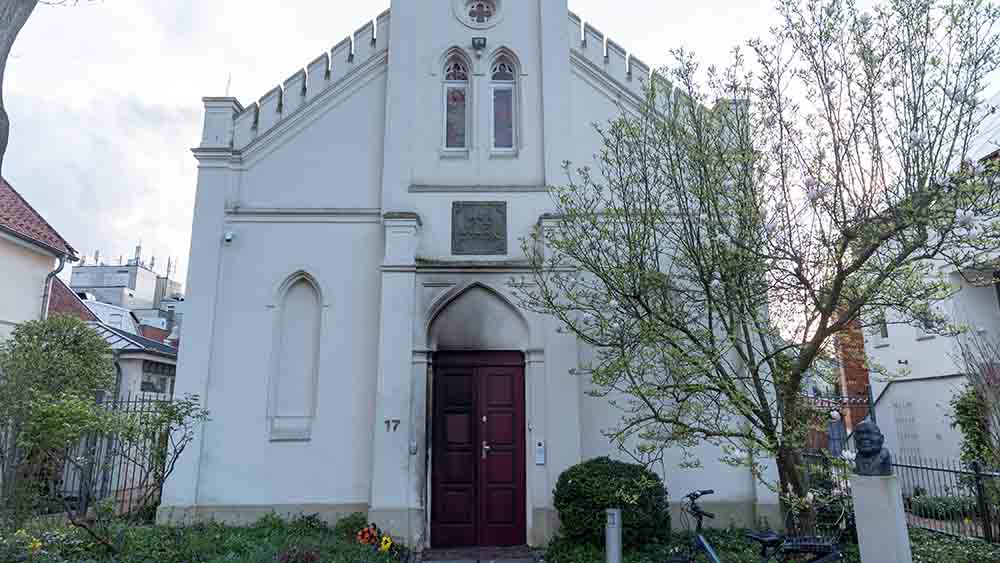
(478, 491)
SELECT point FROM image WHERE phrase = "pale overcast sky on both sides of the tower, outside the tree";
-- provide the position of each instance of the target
(105, 97)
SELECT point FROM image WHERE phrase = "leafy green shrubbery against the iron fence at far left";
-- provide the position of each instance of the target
(55, 420)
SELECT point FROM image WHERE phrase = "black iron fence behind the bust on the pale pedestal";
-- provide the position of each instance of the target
(950, 497)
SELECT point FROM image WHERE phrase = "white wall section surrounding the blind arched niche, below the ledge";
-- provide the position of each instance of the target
(334, 465)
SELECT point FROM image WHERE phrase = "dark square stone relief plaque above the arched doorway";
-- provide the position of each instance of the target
(479, 228)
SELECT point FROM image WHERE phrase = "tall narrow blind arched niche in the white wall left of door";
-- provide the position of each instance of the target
(295, 364)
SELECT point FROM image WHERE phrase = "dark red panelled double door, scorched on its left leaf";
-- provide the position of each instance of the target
(478, 465)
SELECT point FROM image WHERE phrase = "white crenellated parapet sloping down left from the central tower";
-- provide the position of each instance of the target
(369, 42)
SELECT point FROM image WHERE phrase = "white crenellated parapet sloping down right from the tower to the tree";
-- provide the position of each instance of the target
(607, 56)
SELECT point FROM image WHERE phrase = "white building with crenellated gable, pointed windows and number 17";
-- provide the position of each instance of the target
(355, 234)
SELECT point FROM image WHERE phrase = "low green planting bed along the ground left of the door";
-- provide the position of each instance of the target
(270, 540)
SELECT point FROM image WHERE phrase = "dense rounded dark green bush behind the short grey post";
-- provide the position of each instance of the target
(583, 493)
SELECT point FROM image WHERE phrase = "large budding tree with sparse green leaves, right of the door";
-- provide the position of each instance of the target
(733, 226)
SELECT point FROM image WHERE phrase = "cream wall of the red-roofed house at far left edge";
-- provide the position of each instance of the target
(22, 283)
